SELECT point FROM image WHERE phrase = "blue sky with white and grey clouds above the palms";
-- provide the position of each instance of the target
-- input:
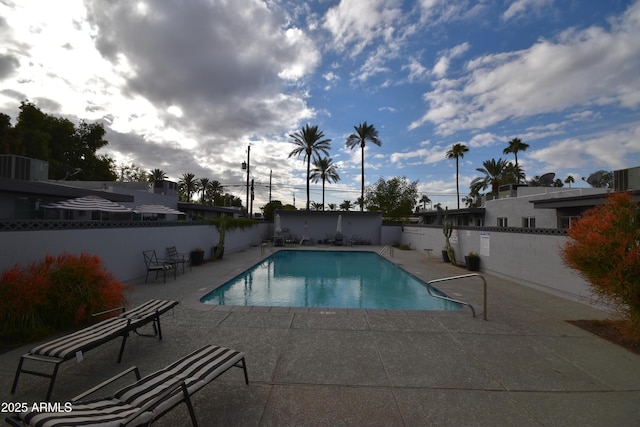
(188, 86)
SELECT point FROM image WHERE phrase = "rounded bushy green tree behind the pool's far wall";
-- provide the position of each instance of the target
(395, 197)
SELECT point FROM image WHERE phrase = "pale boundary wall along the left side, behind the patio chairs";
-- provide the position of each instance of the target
(120, 248)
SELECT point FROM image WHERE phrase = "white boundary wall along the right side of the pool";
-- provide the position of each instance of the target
(529, 259)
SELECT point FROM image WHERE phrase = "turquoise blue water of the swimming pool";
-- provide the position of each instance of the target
(336, 279)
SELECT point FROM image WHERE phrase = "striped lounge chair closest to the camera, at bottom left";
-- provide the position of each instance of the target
(146, 400)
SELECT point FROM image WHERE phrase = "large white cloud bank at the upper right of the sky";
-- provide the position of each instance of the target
(593, 66)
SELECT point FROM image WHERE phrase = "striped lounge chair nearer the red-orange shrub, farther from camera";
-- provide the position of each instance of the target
(73, 346)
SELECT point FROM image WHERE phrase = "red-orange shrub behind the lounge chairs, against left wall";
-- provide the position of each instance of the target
(55, 293)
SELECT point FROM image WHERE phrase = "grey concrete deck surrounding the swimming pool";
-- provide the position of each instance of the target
(525, 365)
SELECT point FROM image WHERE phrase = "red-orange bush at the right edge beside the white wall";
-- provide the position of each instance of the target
(604, 249)
